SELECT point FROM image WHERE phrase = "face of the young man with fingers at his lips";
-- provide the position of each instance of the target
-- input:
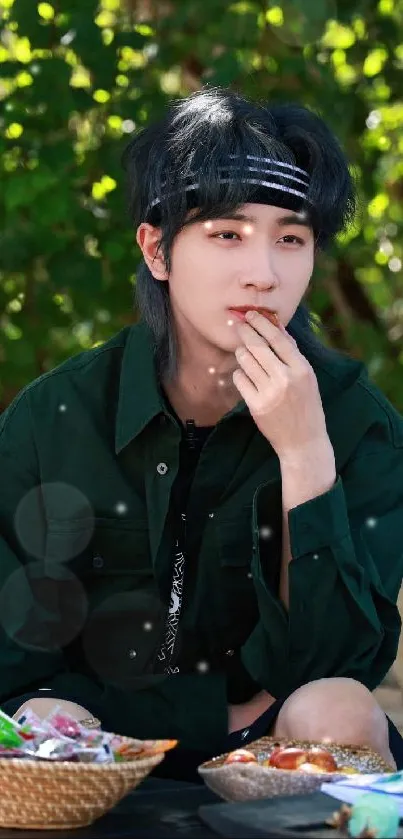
(262, 256)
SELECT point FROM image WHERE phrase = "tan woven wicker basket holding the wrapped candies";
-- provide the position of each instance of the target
(61, 795)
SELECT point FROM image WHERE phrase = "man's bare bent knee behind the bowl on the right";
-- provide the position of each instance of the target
(338, 710)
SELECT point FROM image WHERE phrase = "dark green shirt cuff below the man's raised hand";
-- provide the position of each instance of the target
(319, 522)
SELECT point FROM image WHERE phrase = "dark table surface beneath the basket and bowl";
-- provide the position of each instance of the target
(164, 809)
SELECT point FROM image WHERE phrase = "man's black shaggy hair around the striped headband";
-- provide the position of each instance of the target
(190, 142)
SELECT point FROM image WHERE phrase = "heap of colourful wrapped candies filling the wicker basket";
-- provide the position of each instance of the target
(60, 737)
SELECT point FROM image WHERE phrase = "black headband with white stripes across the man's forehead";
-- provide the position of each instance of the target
(268, 174)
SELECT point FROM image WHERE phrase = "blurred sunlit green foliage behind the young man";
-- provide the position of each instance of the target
(76, 78)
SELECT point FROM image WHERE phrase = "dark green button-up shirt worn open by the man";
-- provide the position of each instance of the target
(88, 459)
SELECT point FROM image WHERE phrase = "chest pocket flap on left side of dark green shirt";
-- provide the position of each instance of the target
(101, 547)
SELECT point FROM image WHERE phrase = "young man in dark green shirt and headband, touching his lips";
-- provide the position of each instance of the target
(202, 519)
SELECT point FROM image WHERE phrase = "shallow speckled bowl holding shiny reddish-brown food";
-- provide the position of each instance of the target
(245, 781)
